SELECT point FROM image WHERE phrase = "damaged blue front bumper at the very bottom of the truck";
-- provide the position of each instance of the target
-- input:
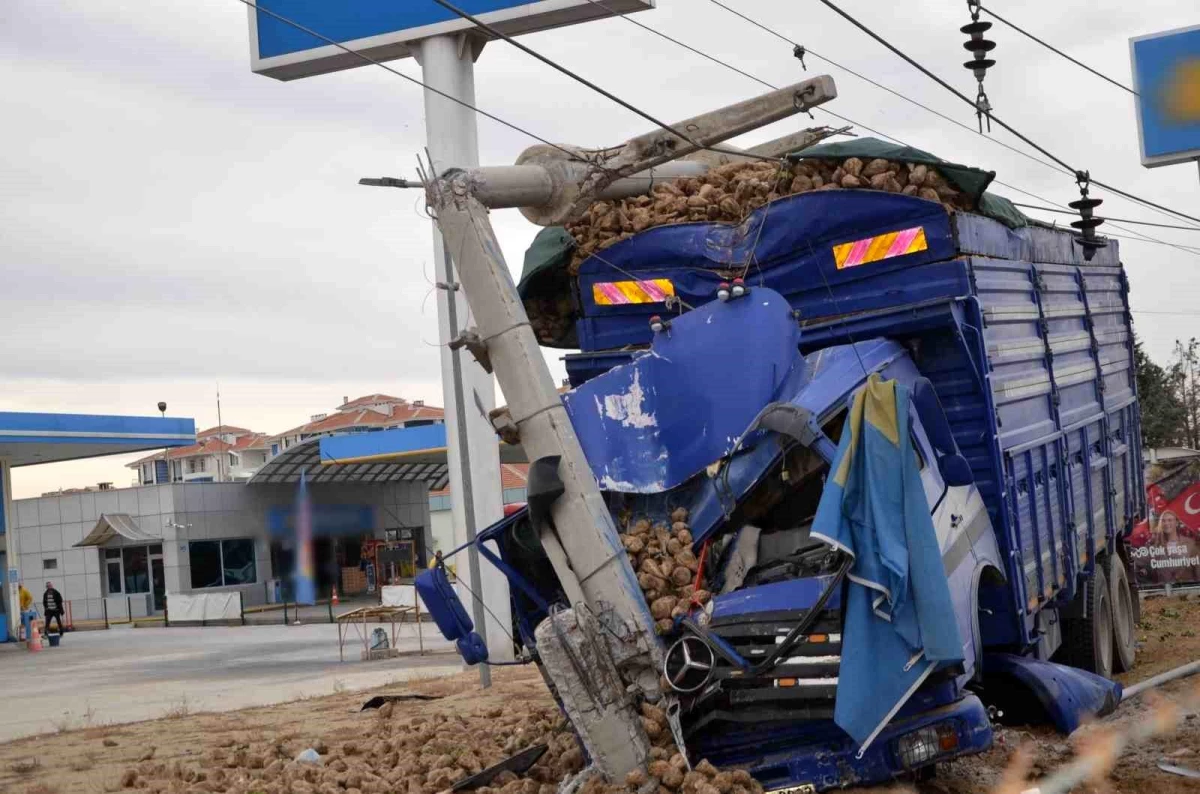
(823, 756)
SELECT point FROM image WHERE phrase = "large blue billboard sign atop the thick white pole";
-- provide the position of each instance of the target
(386, 29)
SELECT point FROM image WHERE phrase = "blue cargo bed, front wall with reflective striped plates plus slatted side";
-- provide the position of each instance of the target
(1029, 348)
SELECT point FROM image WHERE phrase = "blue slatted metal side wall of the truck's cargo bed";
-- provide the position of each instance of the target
(1060, 356)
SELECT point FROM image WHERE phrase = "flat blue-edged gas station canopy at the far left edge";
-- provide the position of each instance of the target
(28, 440)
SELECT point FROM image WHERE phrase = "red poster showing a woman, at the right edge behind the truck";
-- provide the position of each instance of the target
(1166, 549)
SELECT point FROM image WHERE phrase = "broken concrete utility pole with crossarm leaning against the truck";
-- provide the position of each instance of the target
(601, 649)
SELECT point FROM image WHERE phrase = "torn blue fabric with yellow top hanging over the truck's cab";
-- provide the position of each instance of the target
(899, 619)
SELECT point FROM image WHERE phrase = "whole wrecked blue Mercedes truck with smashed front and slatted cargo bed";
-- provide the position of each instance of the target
(725, 393)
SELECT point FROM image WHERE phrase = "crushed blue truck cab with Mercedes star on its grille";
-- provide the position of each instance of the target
(669, 430)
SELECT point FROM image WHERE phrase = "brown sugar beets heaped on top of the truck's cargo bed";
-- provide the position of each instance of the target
(728, 195)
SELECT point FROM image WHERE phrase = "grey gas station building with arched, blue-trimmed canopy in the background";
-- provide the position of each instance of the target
(117, 554)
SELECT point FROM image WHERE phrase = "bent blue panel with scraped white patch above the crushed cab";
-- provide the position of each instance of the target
(649, 426)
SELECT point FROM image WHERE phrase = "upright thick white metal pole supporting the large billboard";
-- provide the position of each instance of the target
(469, 392)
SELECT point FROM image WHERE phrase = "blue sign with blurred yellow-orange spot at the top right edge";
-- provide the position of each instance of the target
(1167, 79)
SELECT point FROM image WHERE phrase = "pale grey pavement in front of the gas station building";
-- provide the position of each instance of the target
(130, 675)
